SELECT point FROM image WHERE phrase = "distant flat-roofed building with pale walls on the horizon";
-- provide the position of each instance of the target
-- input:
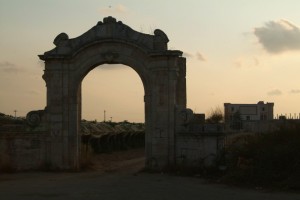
(234, 113)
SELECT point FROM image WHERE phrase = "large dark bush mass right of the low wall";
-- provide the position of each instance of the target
(266, 160)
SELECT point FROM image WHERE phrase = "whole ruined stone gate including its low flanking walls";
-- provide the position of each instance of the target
(52, 136)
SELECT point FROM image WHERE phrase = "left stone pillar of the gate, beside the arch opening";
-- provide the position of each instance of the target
(63, 116)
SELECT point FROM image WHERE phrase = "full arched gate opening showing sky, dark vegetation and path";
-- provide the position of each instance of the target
(112, 127)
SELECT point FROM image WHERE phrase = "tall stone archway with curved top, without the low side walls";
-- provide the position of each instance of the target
(162, 72)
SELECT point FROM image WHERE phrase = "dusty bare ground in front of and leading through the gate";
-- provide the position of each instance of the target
(117, 176)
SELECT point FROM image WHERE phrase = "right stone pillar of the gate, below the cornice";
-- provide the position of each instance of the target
(163, 100)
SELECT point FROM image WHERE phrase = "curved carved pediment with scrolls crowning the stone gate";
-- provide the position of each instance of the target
(110, 30)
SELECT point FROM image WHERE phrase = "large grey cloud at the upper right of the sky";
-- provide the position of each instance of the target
(278, 36)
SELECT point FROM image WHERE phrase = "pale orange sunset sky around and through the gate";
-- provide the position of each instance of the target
(238, 51)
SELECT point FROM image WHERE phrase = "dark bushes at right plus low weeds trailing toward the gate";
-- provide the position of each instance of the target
(266, 161)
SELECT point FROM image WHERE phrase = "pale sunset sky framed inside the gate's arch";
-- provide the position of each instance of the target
(113, 92)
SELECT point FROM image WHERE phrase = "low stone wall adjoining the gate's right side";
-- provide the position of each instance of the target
(198, 149)
